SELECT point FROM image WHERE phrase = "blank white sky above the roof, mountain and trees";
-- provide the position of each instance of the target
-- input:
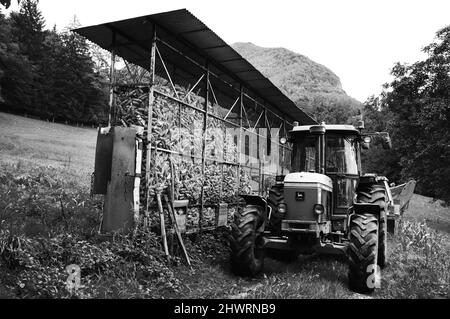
(359, 40)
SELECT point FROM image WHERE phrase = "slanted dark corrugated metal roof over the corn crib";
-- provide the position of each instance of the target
(184, 32)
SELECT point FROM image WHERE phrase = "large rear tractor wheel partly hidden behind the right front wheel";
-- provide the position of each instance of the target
(376, 194)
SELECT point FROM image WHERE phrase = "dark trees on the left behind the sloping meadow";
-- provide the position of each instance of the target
(47, 73)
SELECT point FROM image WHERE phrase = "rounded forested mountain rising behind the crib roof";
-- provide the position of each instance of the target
(312, 86)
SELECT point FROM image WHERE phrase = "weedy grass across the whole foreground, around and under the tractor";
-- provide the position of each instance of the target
(48, 221)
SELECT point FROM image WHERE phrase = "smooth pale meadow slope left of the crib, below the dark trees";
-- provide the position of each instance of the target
(57, 146)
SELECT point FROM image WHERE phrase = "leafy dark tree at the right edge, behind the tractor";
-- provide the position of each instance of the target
(415, 108)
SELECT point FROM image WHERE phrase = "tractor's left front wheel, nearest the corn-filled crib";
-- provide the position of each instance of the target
(247, 254)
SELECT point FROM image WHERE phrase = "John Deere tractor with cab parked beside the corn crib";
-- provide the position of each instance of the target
(326, 205)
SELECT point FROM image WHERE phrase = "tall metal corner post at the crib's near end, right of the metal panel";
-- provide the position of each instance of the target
(151, 100)
